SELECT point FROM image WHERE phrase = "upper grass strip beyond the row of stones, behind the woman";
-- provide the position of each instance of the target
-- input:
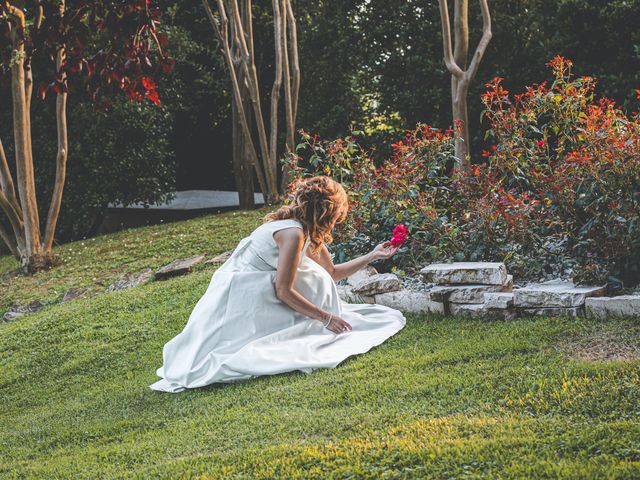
(95, 263)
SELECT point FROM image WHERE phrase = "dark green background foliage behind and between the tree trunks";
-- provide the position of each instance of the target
(371, 65)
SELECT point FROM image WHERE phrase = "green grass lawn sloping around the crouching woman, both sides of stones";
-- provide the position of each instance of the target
(444, 398)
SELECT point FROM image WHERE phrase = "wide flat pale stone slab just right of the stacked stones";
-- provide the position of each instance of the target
(554, 294)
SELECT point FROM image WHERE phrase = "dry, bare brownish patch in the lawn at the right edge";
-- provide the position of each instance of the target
(602, 346)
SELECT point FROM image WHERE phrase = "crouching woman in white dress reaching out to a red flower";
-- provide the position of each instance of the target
(273, 306)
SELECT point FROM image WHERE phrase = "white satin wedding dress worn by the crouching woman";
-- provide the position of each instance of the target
(239, 329)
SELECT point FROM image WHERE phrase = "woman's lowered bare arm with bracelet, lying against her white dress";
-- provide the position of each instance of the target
(290, 243)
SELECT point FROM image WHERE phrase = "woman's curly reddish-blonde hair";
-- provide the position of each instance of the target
(318, 203)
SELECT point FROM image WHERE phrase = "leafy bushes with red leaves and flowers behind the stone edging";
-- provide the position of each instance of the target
(557, 194)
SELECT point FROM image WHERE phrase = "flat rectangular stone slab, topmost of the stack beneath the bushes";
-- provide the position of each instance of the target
(484, 273)
